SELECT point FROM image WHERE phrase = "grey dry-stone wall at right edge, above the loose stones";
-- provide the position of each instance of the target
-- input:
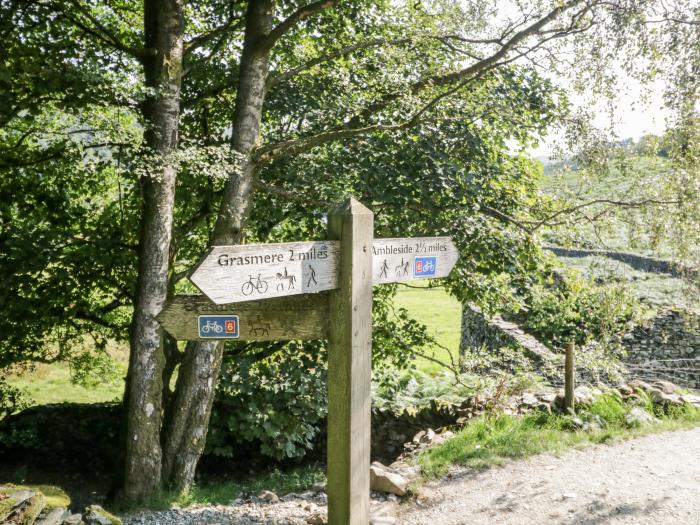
(666, 347)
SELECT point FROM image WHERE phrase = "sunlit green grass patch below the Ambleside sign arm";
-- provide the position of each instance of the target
(441, 313)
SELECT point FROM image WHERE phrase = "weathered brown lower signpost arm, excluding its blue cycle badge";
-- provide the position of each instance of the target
(285, 318)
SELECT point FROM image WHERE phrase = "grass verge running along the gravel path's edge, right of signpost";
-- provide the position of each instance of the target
(489, 441)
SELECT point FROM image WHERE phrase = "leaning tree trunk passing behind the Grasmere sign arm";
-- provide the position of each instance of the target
(191, 409)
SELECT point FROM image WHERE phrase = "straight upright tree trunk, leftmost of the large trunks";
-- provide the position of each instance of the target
(164, 27)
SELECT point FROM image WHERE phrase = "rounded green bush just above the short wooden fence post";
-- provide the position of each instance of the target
(565, 307)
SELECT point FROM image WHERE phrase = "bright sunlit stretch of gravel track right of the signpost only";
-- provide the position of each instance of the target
(651, 480)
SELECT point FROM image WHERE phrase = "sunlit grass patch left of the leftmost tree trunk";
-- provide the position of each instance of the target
(52, 384)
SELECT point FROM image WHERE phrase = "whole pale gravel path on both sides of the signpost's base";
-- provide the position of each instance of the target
(651, 480)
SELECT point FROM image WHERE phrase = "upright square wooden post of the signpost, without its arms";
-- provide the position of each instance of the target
(349, 367)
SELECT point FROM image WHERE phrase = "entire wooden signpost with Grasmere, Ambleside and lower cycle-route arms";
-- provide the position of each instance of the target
(240, 282)
